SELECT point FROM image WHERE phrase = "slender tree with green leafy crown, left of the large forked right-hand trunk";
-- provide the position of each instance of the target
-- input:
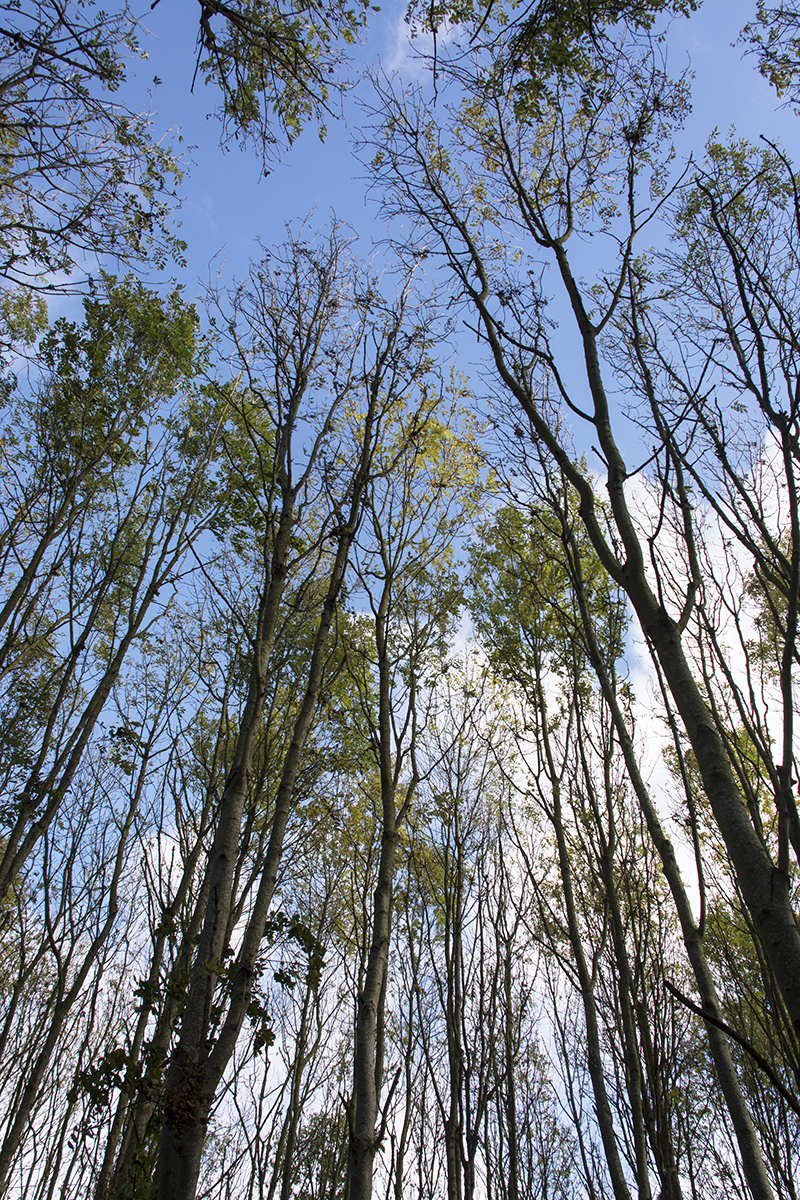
(519, 585)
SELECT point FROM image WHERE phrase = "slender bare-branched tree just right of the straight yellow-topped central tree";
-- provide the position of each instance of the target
(461, 1031)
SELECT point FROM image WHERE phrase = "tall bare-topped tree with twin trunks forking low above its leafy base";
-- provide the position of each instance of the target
(312, 347)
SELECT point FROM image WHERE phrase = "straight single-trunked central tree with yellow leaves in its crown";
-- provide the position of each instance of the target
(425, 483)
